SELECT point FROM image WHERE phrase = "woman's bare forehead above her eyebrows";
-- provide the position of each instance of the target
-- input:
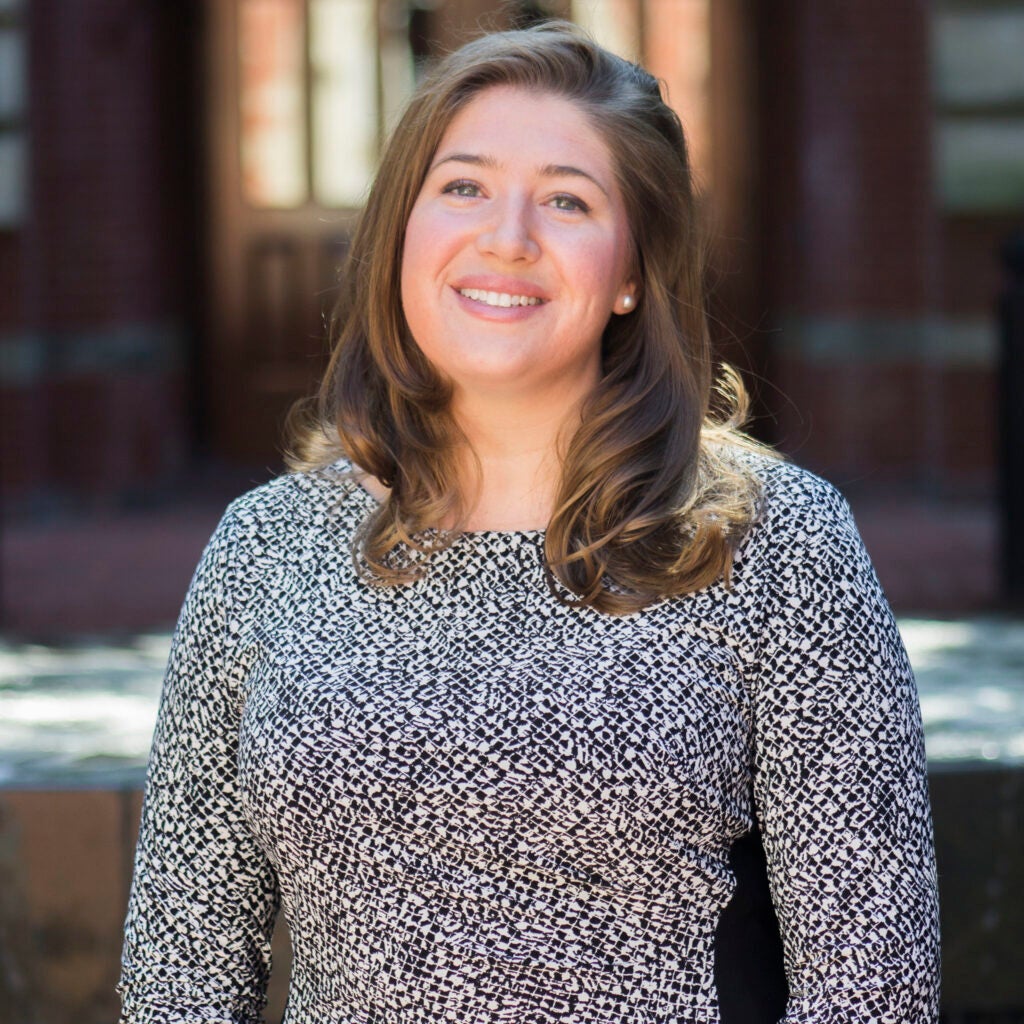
(523, 123)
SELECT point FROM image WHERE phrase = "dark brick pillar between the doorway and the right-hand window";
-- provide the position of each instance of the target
(849, 226)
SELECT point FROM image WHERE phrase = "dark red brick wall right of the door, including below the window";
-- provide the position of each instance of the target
(885, 351)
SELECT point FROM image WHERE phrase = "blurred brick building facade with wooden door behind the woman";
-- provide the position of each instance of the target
(178, 185)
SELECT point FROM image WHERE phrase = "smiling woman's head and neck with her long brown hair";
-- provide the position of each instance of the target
(536, 173)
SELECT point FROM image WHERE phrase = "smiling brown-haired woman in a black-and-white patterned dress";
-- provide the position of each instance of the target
(507, 762)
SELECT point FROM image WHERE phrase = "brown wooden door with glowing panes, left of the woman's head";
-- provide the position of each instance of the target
(294, 92)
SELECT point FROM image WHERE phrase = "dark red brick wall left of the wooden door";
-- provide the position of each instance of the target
(95, 328)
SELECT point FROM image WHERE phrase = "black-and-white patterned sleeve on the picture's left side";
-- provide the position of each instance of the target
(204, 897)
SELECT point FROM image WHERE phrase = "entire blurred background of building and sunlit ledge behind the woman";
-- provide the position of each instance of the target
(179, 182)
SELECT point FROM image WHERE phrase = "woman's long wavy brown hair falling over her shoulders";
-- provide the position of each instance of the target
(653, 500)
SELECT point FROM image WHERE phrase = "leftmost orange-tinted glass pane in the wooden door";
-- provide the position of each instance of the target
(272, 59)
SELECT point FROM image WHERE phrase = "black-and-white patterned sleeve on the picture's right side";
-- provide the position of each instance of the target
(841, 784)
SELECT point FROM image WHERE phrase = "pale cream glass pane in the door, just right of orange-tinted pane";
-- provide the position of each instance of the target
(344, 55)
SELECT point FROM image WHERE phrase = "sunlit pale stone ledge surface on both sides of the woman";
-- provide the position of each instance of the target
(83, 714)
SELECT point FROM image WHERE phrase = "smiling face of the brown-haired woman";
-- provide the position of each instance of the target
(518, 250)
